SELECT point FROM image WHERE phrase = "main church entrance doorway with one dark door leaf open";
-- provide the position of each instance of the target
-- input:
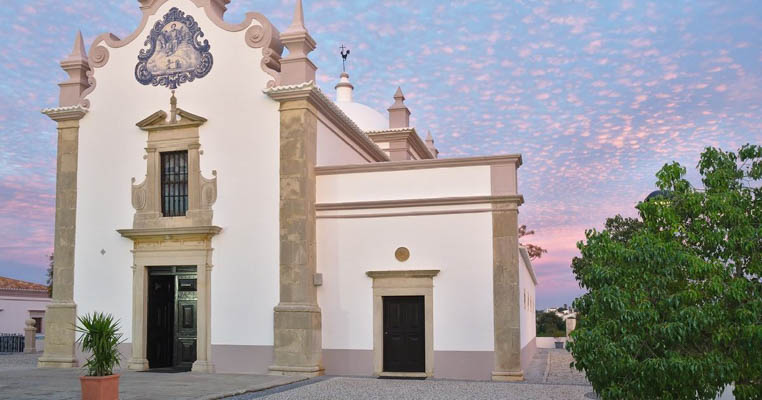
(171, 319)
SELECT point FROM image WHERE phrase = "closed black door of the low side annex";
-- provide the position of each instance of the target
(404, 334)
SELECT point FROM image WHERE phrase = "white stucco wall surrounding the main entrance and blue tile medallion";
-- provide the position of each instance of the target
(240, 141)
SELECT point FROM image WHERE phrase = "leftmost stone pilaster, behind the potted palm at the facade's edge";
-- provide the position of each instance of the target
(62, 312)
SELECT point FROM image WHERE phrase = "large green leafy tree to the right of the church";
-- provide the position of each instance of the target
(674, 302)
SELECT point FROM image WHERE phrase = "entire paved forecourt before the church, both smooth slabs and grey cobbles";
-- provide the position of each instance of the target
(549, 377)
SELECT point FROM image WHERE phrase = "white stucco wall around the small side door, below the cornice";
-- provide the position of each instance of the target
(458, 245)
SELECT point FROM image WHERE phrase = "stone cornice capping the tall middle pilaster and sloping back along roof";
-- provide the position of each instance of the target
(325, 106)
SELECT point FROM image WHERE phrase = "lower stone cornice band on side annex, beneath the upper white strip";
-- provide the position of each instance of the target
(442, 201)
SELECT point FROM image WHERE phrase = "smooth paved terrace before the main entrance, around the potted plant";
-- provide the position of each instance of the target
(19, 379)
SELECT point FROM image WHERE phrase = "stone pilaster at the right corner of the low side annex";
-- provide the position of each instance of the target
(505, 286)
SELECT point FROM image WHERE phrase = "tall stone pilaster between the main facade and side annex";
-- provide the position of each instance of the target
(298, 340)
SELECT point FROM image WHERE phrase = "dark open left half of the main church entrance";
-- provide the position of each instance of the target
(161, 315)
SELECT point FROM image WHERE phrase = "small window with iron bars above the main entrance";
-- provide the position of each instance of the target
(174, 183)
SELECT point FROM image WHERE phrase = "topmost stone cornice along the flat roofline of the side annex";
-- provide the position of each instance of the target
(420, 164)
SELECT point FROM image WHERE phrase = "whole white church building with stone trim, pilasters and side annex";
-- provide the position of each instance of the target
(236, 218)
